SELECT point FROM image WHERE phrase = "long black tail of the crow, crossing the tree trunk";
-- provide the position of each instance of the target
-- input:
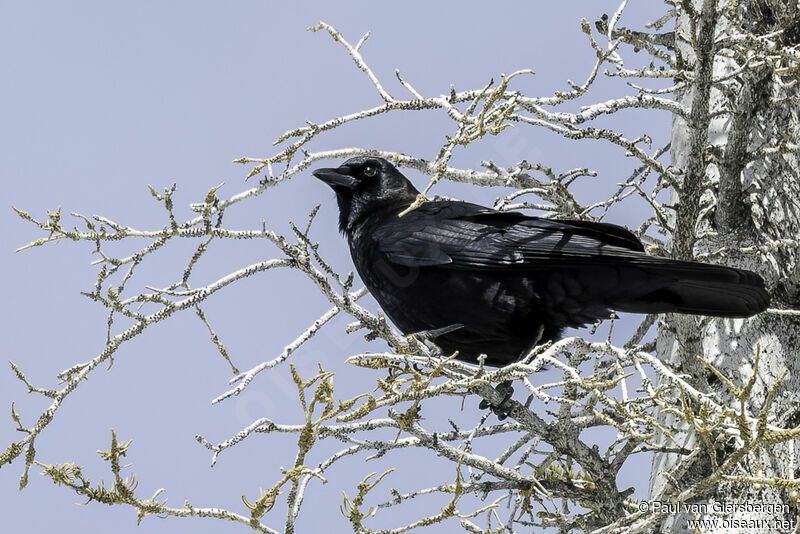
(688, 287)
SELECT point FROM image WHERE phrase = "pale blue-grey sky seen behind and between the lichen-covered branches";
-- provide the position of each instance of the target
(100, 100)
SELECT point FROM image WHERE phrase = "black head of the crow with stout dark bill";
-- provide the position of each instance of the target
(365, 184)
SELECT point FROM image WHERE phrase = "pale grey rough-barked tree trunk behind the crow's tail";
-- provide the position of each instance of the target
(739, 192)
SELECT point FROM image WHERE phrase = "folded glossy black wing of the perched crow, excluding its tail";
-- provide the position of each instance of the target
(459, 235)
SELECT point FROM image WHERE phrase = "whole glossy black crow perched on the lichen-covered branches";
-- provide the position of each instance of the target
(502, 277)
